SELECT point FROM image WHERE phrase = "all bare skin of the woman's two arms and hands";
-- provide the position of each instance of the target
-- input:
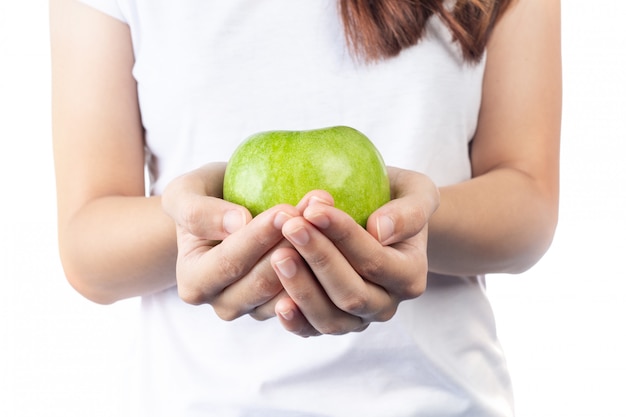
(309, 265)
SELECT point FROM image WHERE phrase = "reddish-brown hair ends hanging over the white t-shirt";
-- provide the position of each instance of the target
(379, 29)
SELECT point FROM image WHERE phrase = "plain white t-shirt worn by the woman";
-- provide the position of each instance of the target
(210, 73)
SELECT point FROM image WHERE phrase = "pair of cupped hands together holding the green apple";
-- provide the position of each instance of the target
(329, 276)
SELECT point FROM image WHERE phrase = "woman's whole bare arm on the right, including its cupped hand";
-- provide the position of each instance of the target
(502, 220)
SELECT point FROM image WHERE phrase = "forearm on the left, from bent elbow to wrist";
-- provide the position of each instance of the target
(119, 247)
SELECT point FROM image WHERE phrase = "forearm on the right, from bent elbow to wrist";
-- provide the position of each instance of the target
(500, 222)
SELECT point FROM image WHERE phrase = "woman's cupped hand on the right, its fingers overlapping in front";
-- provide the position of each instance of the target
(339, 277)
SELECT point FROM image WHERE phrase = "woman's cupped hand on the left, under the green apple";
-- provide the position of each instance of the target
(223, 254)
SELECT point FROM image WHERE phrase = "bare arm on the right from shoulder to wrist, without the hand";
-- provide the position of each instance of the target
(504, 218)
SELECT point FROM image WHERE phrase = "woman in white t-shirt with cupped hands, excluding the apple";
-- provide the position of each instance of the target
(463, 102)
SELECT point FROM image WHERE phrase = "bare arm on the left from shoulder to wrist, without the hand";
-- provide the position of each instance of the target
(114, 242)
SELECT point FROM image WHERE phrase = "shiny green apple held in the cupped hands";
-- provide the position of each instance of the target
(275, 167)
